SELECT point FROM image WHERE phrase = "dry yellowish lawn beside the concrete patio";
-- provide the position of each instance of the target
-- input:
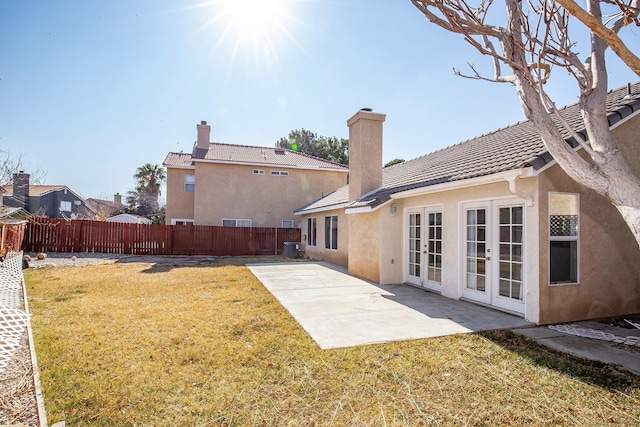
(209, 346)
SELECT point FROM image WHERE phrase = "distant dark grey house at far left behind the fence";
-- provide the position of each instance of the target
(53, 201)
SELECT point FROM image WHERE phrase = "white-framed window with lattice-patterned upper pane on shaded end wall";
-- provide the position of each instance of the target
(564, 227)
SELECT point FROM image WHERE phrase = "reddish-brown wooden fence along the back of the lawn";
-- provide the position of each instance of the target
(60, 235)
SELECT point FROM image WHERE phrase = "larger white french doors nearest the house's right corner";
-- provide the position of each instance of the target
(493, 258)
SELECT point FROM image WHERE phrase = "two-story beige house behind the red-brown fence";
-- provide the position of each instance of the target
(244, 186)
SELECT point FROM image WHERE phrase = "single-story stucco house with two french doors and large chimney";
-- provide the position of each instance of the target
(493, 220)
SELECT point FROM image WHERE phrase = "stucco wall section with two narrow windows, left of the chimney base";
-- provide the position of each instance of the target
(319, 252)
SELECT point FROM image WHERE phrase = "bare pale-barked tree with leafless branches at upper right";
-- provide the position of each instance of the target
(535, 39)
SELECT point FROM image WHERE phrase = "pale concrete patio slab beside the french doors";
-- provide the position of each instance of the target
(338, 310)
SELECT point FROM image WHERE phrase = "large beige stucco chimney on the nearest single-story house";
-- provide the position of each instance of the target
(365, 152)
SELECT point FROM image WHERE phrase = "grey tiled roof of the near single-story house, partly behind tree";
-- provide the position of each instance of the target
(511, 148)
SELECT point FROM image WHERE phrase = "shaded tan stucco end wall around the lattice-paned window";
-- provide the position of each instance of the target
(609, 271)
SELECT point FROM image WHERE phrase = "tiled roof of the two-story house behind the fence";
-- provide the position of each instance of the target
(244, 154)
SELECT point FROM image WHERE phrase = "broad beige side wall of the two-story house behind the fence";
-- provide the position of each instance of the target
(226, 191)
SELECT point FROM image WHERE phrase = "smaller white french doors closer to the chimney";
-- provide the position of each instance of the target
(423, 260)
